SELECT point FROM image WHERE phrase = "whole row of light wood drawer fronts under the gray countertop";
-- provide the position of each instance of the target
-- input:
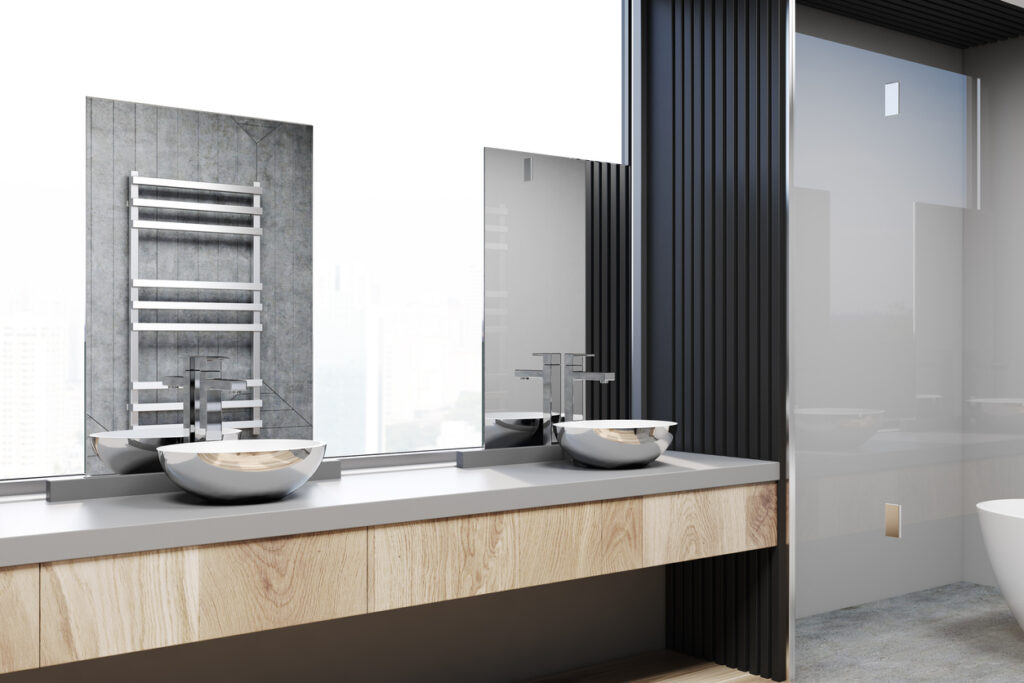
(79, 610)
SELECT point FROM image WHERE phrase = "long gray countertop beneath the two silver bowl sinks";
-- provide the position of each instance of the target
(35, 531)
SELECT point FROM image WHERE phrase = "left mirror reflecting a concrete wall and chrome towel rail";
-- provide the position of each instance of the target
(199, 281)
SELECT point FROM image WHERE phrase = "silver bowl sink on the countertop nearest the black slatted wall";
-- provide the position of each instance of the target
(614, 444)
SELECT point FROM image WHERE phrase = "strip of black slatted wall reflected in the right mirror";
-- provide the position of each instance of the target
(609, 288)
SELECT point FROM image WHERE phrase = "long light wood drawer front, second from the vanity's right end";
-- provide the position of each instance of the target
(421, 563)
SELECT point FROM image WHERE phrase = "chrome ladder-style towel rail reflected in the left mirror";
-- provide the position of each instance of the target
(138, 285)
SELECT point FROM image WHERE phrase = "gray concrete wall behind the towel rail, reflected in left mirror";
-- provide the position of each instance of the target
(198, 147)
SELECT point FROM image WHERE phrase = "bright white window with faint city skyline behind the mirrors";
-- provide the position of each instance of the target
(403, 98)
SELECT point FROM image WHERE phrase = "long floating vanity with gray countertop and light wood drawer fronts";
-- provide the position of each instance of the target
(106, 577)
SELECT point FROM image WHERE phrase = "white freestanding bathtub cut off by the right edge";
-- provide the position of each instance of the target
(1003, 530)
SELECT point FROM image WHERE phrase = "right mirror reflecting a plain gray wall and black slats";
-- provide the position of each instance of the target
(557, 294)
